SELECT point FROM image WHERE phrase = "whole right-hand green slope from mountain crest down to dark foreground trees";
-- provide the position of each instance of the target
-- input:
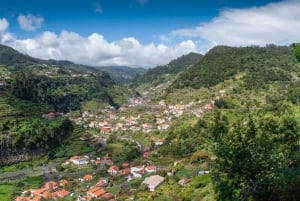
(254, 131)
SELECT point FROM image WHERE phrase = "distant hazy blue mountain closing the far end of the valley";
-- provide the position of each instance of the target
(122, 74)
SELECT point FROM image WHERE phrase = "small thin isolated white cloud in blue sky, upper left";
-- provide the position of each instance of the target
(30, 22)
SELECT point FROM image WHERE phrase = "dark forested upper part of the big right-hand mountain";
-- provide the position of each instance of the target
(259, 66)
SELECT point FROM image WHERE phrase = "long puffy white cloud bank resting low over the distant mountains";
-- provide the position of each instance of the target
(94, 50)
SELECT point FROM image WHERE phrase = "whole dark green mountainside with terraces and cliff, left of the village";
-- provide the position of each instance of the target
(35, 93)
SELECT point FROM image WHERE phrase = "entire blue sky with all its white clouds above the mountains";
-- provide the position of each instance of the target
(142, 33)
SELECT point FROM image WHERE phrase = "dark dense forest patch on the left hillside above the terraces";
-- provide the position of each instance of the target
(63, 93)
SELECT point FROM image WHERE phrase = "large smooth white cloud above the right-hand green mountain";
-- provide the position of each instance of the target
(273, 23)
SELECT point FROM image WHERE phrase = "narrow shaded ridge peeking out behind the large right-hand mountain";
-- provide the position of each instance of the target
(161, 74)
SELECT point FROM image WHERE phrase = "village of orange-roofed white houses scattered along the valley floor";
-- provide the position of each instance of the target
(106, 179)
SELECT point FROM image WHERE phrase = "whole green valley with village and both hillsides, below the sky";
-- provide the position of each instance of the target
(225, 126)
